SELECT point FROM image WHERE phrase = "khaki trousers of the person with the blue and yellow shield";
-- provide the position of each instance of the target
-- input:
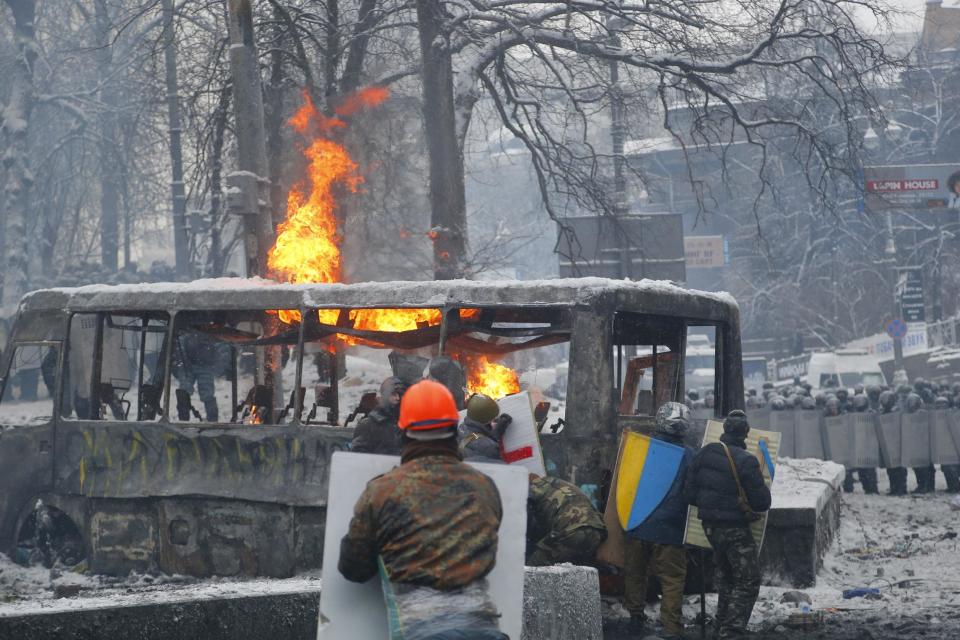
(668, 563)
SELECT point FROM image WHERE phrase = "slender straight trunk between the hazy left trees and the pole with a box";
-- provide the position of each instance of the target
(180, 244)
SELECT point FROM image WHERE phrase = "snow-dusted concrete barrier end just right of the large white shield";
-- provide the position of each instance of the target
(561, 603)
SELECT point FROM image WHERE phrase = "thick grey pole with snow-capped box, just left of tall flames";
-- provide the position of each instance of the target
(249, 193)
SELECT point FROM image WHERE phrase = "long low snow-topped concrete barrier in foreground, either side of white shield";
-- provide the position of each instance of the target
(560, 603)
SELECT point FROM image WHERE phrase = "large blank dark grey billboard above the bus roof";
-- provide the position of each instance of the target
(633, 246)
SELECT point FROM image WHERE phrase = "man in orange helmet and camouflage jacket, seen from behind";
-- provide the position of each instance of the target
(430, 527)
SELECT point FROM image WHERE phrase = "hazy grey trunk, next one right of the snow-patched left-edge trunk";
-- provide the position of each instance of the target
(106, 146)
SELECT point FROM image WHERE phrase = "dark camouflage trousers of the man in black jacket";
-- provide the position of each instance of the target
(737, 578)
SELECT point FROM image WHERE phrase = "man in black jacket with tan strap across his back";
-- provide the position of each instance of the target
(712, 488)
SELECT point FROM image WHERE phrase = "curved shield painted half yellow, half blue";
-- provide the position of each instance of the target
(646, 470)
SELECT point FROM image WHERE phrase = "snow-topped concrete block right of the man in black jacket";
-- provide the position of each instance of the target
(804, 517)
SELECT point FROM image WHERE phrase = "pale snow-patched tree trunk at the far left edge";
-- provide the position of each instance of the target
(15, 126)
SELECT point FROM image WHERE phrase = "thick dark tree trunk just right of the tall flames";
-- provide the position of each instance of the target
(447, 192)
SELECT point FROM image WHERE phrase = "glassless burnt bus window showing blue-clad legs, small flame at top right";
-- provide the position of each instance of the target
(234, 367)
